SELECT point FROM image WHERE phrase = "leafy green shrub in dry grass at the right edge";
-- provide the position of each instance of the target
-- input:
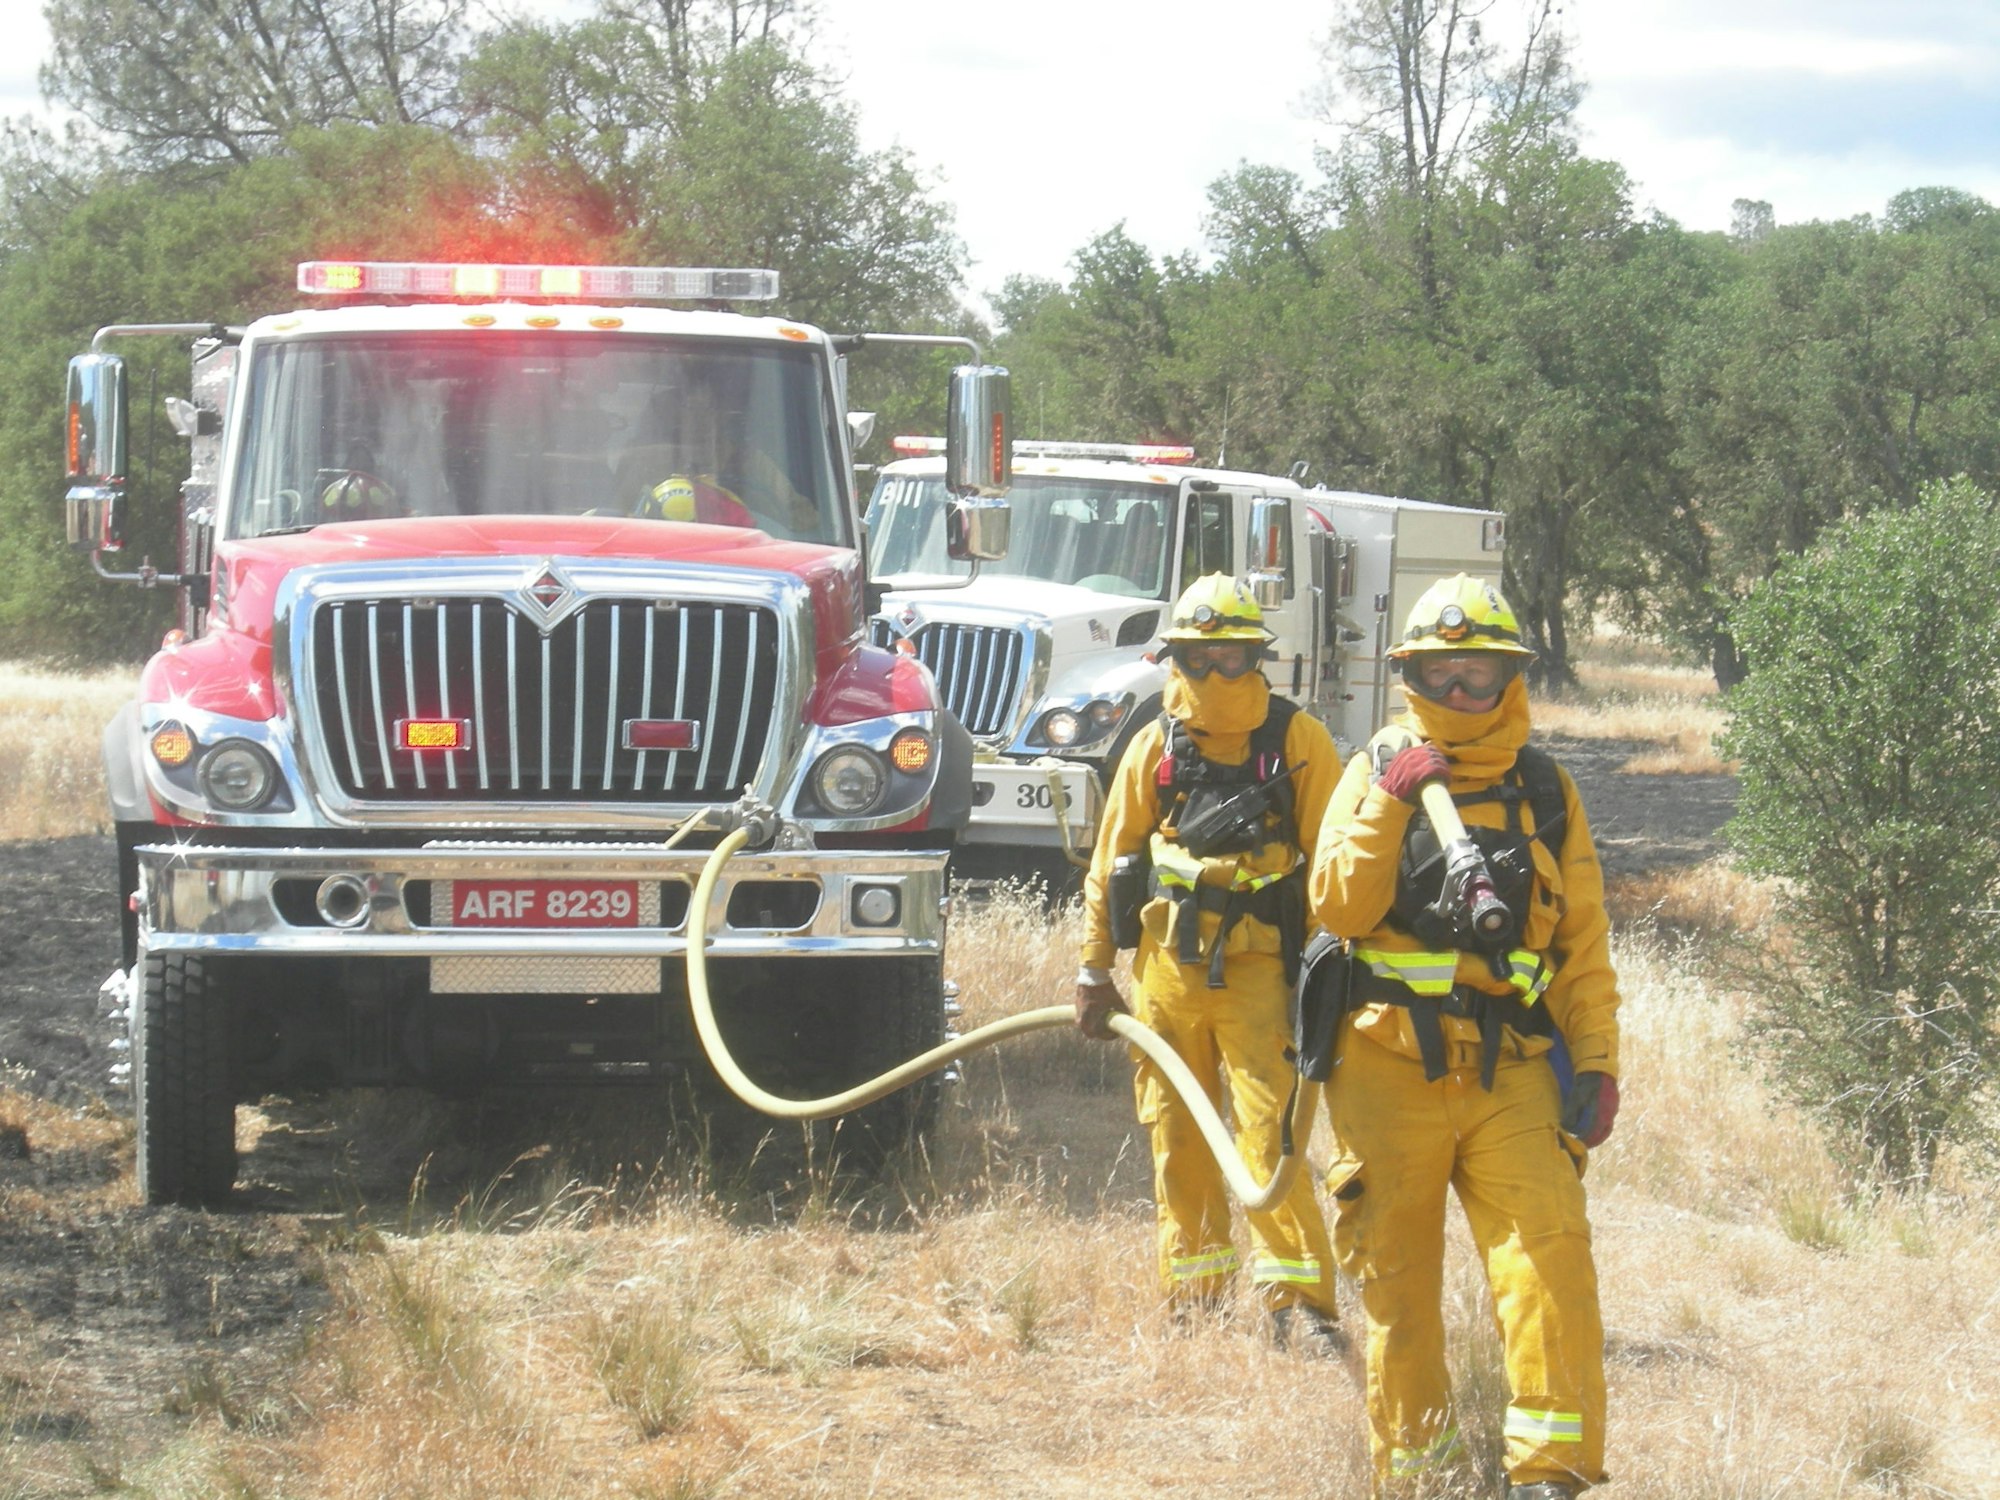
(1869, 743)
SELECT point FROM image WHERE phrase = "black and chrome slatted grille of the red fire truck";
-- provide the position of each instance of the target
(547, 713)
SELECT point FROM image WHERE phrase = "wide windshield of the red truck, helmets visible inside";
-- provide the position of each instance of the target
(499, 423)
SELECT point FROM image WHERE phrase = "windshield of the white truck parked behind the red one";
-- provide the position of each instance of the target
(1105, 535)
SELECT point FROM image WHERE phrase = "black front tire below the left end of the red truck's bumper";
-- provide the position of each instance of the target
(183, 1093)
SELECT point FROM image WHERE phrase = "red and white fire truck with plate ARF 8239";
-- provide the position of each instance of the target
(505, 595)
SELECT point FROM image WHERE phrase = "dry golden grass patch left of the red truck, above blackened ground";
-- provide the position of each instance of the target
(51, 765)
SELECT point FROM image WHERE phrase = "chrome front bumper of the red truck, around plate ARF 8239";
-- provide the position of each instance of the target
(205, 899)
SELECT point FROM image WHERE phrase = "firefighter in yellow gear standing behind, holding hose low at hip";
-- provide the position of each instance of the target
(1223, 797)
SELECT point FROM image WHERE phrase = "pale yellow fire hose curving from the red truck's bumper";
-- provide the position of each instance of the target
(1251, 1193)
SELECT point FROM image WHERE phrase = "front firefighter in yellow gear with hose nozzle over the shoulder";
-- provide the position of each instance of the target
(1445, 1073)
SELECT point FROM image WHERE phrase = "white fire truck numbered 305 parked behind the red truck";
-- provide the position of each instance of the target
(1045, 657)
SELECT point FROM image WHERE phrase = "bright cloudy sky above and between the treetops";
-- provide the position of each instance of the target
(1051, 121)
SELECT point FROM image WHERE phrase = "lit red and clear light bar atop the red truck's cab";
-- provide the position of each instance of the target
(593, 283)
